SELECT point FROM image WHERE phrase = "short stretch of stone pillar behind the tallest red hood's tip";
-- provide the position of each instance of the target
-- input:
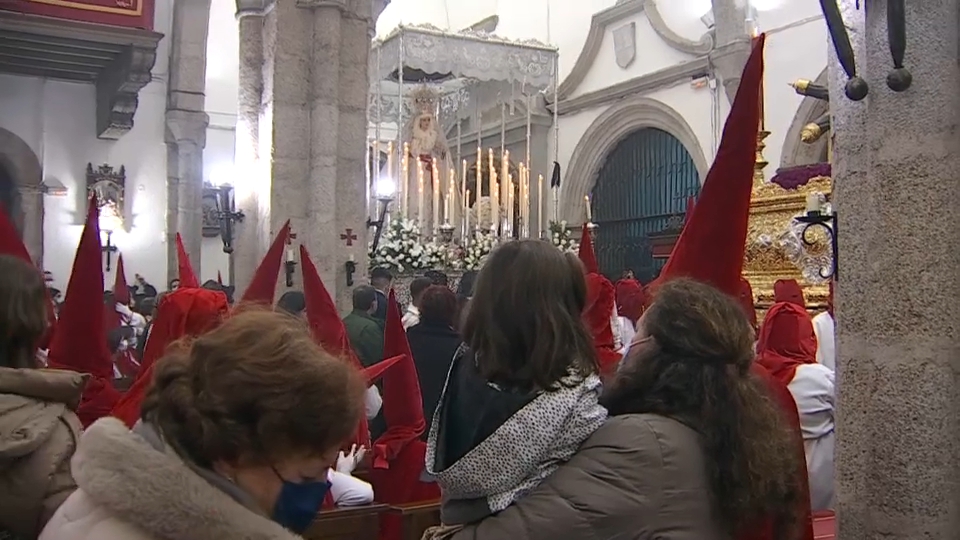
(732, 44)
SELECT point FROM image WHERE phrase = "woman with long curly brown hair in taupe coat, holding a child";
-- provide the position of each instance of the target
(694, 449)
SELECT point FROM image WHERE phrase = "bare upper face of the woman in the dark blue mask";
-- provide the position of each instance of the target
(266, 483)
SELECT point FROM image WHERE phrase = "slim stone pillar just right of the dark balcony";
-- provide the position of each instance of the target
(186, 128)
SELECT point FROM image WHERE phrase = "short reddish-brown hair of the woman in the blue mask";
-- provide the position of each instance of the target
(256, 388)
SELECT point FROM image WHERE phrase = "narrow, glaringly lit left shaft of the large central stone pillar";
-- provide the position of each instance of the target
(253, 182)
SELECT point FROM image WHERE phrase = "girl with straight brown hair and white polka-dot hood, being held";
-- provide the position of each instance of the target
(522, 393)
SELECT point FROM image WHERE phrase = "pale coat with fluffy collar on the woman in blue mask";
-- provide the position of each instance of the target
(130, 490)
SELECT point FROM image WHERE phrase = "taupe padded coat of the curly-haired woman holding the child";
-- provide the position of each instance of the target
(638, 477)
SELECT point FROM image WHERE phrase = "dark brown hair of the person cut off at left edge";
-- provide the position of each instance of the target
(23, 312)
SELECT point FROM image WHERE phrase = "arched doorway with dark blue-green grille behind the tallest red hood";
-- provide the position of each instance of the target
(644, 182)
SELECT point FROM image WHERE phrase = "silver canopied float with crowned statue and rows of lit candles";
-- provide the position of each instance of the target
(429, 86)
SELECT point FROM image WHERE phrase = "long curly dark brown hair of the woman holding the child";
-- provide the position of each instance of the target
(695, 367)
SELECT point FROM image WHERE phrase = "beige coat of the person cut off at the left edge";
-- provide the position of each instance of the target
(38, 435)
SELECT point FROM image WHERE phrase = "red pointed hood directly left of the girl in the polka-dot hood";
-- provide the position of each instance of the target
(402, 401)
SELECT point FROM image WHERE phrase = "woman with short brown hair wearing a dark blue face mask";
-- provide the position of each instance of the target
(237, 436)
